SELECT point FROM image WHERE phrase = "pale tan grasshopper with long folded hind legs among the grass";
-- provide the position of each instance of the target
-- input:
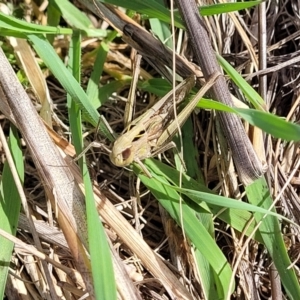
(151, 133)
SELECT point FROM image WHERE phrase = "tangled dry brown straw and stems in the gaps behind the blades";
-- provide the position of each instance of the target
(255, 277)
